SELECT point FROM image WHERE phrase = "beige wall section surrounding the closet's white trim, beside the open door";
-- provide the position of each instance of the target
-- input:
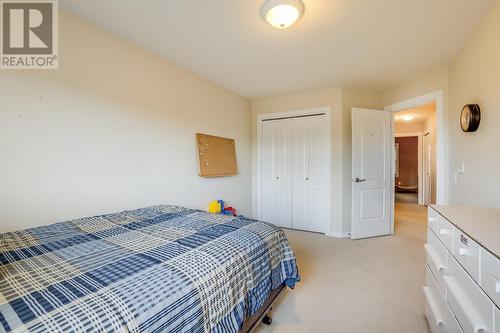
(340, 100)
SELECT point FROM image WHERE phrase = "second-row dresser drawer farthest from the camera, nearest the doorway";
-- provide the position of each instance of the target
(436, 258)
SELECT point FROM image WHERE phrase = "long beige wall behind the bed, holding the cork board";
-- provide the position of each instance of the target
(112, 129)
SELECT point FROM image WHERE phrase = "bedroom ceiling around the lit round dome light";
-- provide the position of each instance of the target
(368, 43)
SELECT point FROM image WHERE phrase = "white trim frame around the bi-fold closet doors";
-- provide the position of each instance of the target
(289, 114)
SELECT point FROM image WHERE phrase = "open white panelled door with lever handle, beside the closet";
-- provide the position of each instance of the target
(371, 173)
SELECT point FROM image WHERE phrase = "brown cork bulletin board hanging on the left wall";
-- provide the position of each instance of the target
(216, 156)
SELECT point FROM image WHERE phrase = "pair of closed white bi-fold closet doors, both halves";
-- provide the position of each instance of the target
(294, 172)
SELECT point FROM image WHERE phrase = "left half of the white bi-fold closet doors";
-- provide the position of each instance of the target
(276, 172)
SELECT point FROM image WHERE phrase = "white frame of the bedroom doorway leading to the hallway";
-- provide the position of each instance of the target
(442, 143)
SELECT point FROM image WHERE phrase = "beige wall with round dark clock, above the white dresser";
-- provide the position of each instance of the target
(475, 78)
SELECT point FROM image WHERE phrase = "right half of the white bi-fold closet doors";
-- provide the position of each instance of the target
(309, 173)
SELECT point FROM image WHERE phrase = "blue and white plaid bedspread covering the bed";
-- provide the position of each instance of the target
(157, 269)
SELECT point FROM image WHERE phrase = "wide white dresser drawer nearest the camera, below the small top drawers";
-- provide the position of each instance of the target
(471, 306)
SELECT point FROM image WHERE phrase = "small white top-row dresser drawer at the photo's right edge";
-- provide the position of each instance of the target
(490, 276)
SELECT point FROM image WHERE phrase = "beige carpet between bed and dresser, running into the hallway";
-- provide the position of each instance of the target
(370, 285)
